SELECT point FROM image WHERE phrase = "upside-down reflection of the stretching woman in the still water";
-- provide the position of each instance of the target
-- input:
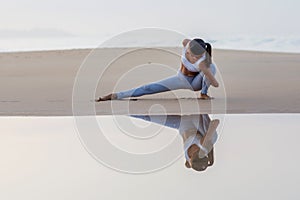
(198, 133)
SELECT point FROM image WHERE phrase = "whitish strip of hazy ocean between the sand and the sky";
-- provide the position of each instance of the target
(267, 44)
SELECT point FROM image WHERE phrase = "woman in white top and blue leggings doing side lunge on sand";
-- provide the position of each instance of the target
(196, 73)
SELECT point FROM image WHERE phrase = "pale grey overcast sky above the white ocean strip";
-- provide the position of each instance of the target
(109, 17)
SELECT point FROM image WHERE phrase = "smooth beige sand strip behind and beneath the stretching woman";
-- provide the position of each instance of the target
(41, 83)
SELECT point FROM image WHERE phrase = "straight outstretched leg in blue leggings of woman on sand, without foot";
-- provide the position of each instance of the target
(171, 83)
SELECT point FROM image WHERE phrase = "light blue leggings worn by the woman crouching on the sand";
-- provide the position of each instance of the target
(178, 81)
